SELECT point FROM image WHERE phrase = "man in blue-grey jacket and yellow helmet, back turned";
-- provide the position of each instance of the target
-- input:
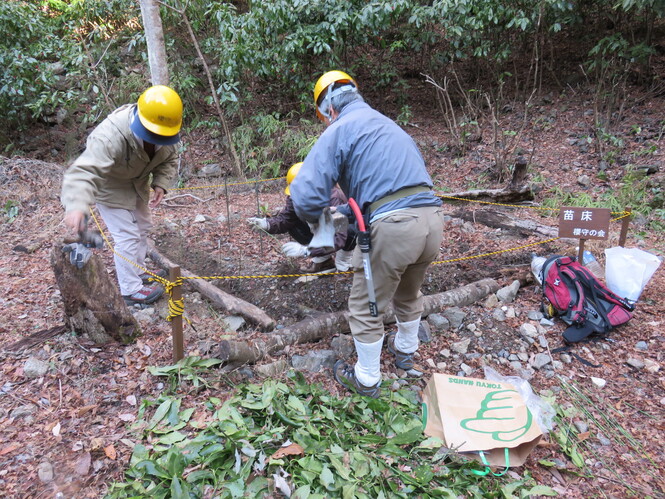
(377, 164)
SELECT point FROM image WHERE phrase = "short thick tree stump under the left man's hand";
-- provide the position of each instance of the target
(93, 303)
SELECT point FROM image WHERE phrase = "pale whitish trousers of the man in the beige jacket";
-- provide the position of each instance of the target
(129, 229)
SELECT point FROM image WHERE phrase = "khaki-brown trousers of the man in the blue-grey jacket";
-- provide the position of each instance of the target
(404, 243)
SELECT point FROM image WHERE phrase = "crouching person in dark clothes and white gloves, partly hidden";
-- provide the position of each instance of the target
(287, 221)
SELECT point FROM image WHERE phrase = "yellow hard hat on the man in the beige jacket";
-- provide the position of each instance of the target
(160, 110)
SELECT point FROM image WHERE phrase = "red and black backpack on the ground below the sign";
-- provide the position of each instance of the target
(572, 293)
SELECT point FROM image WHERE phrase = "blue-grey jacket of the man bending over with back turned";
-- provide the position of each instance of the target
(370, 157)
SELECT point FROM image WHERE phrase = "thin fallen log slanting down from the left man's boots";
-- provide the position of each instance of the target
(219, 298)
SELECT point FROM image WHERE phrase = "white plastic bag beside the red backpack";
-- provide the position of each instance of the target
(628, 270)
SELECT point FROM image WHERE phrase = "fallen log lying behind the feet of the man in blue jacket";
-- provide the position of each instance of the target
(315, 328)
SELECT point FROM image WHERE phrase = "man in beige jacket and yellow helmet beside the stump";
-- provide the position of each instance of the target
(129, 152)
